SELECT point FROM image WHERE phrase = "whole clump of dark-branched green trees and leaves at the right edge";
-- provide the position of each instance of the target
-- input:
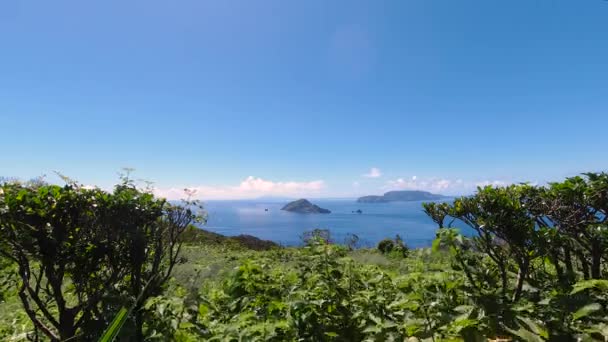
(535, 264)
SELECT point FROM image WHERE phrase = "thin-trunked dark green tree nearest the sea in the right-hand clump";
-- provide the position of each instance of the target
(505, 233)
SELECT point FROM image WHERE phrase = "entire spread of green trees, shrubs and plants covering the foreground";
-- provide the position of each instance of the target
(533, 269)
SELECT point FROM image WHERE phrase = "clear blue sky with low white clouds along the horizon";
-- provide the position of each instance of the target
(304, 98)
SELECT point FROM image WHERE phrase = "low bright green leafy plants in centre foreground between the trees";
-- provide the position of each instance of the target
(321, 293)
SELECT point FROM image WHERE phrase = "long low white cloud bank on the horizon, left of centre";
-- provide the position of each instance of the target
(250, 187)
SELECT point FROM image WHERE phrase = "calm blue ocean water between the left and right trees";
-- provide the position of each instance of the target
(378, 221)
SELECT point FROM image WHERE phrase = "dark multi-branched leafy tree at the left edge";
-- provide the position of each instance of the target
(81, 253)
